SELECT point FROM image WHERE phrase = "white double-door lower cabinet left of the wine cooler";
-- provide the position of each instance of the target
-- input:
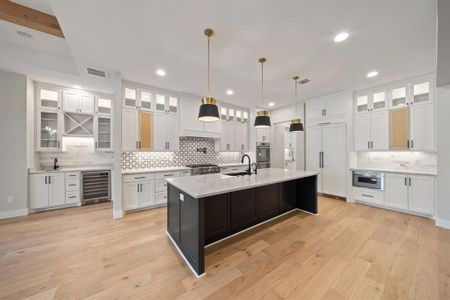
(47, 190)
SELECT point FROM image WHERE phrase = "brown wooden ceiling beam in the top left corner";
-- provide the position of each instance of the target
(28, 17)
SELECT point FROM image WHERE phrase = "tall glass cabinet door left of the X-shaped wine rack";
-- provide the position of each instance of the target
(49, 130)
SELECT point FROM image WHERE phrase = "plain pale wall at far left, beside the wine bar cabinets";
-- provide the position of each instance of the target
(13, 150)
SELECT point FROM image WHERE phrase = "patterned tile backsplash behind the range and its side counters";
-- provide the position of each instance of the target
(188, 154)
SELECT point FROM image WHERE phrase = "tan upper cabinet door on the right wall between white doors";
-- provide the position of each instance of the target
(399, 128)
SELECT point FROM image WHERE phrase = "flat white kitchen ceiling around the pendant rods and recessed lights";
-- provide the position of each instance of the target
(397, 38)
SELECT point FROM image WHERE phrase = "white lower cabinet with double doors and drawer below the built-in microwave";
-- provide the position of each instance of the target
(408, 193)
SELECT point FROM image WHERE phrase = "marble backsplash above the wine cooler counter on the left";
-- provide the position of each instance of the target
(76, 152)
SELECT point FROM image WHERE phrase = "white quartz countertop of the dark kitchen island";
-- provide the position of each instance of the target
(213, 184)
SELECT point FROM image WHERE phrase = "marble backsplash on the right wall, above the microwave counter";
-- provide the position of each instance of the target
(396, 159)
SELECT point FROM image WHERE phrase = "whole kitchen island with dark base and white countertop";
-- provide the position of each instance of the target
(204, 209)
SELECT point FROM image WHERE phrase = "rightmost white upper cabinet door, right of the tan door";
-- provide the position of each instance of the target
(422, 127)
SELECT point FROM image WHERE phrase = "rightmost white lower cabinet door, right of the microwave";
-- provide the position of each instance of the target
(421, 194)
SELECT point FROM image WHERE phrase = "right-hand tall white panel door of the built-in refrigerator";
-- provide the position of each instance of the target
(334, 179)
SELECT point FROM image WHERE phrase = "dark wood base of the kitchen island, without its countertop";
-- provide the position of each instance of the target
(195, 223)
